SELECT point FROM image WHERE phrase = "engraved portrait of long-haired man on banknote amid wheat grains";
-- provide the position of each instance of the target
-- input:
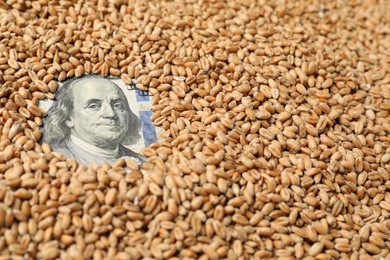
(91, 120)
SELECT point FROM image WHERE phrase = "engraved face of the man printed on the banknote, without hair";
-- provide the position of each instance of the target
(99, 113)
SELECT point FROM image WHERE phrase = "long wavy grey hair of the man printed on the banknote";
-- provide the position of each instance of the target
(55, 130)
